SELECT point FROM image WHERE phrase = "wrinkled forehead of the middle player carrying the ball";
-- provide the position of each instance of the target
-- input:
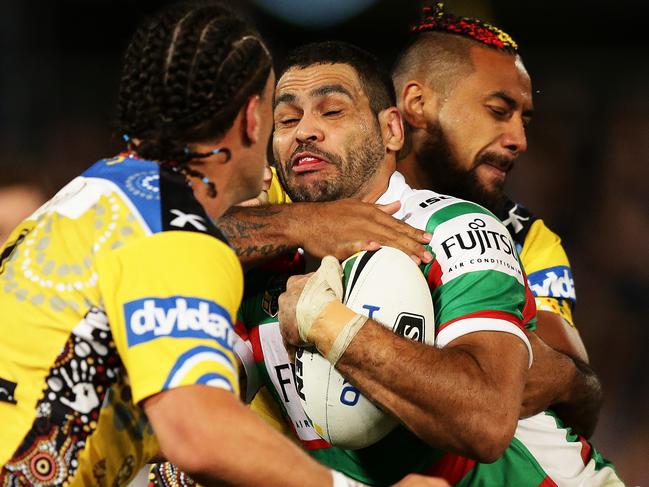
(298, 85)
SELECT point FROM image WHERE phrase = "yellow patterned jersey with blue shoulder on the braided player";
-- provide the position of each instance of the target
(118, 288)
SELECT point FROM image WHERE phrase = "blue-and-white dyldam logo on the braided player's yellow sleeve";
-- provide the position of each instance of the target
(177, 316)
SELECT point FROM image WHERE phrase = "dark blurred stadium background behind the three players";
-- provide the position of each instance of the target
(585, 172)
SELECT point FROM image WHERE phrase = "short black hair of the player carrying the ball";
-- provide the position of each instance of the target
(374, 77)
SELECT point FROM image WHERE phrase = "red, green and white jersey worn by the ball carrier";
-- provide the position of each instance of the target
(473, 260)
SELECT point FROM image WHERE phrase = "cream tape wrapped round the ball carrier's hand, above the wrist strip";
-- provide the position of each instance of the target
(323, 287)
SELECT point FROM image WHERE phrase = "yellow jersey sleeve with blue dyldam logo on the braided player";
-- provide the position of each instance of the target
(170, 300)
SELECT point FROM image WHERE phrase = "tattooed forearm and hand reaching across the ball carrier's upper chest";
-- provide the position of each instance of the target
(339, 228)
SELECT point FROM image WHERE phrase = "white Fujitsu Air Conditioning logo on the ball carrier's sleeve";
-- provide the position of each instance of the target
(474, 242)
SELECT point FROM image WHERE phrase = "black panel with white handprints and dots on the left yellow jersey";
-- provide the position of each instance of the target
(69, 408)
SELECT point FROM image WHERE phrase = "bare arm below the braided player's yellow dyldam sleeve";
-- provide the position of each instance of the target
(212, 436)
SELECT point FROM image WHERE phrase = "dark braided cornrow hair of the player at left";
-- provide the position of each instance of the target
(186, 74)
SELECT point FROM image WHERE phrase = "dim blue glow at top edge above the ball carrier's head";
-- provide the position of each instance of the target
(314, 13)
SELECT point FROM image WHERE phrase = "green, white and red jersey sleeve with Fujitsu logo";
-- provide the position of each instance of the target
(476, 279)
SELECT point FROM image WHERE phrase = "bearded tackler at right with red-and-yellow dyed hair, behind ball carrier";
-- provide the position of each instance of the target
(466, 98)
